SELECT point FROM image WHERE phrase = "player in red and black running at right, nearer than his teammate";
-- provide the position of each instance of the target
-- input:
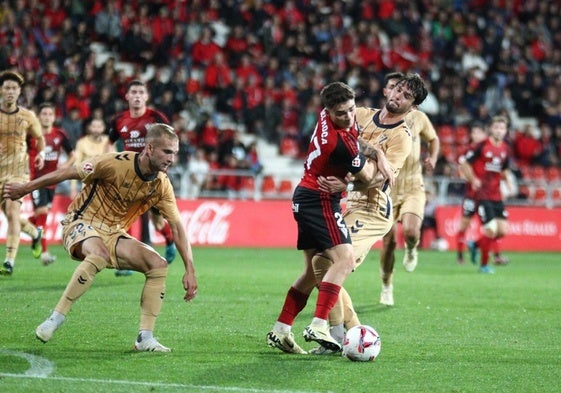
(484, 167)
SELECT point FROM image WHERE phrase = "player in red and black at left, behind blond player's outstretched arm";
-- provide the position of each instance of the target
(56, 141)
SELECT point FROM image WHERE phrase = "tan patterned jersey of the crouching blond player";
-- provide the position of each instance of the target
(114, 194)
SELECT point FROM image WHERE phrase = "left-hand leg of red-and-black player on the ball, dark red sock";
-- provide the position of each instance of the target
(281, 335)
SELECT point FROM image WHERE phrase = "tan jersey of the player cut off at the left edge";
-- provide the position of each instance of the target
(14, 128)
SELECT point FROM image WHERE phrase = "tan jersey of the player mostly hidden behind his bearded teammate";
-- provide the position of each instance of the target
(411, 174)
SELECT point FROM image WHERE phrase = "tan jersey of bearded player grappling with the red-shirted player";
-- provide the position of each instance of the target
(396, 143)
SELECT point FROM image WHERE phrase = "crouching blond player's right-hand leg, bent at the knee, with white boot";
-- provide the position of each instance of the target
(131, 254)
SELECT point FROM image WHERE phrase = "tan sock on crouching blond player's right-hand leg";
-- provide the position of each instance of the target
(152, 297)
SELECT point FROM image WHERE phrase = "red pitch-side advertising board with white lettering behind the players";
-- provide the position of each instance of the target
(218, 222)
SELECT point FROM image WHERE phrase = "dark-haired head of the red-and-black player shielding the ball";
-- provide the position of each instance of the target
(339, 101)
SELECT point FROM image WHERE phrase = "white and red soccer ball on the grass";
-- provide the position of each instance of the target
(362, 344)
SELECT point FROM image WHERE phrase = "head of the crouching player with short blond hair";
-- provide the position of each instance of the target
(162, 145)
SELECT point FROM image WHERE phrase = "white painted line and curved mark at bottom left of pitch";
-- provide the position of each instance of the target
(41, 368)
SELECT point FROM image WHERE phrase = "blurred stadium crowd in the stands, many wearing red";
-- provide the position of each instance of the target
(256, 64)
